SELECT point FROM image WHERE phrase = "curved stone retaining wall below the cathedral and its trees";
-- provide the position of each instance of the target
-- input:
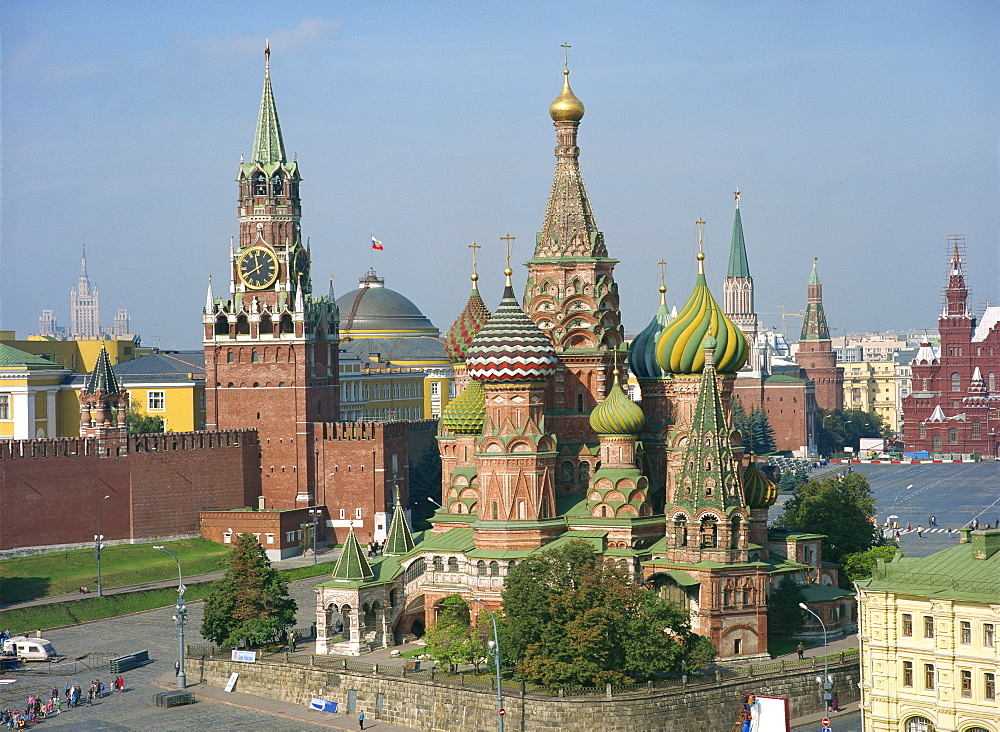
(436, 707)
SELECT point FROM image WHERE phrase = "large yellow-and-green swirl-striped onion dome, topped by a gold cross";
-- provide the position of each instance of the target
(680, 351)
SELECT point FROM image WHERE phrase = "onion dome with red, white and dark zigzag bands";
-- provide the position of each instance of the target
(510, 347)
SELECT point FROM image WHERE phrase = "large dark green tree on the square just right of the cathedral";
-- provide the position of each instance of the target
(843, 510)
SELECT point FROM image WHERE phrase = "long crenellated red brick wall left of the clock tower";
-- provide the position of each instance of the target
(49, 489)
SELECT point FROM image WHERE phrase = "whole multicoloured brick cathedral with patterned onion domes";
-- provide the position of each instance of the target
(542, 446)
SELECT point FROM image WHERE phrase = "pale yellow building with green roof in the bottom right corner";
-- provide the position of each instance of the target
(929, 640)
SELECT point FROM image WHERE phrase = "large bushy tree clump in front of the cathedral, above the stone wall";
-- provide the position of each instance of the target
(571, 618)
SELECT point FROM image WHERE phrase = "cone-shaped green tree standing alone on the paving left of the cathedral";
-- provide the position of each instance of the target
(251, 600)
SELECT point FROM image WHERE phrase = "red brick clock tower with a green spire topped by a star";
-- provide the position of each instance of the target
(270, 347)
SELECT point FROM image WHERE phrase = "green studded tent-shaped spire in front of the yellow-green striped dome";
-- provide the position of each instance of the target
(709, 478)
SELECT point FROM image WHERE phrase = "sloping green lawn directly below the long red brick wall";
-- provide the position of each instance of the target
(45, 575)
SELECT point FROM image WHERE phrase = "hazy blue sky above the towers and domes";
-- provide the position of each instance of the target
(860, 133)
